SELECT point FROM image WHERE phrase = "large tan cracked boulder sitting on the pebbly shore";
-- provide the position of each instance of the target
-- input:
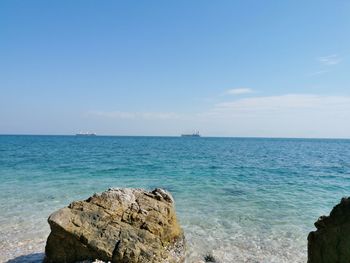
(119, 225)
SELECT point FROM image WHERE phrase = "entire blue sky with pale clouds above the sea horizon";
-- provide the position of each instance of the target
(226, 68)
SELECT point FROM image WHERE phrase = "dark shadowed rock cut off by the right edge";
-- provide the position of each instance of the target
(331, 242)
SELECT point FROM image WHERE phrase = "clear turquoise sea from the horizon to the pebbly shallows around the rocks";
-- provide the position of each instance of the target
(240, 199)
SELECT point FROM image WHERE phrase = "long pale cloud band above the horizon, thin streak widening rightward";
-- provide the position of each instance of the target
(289, 115)
